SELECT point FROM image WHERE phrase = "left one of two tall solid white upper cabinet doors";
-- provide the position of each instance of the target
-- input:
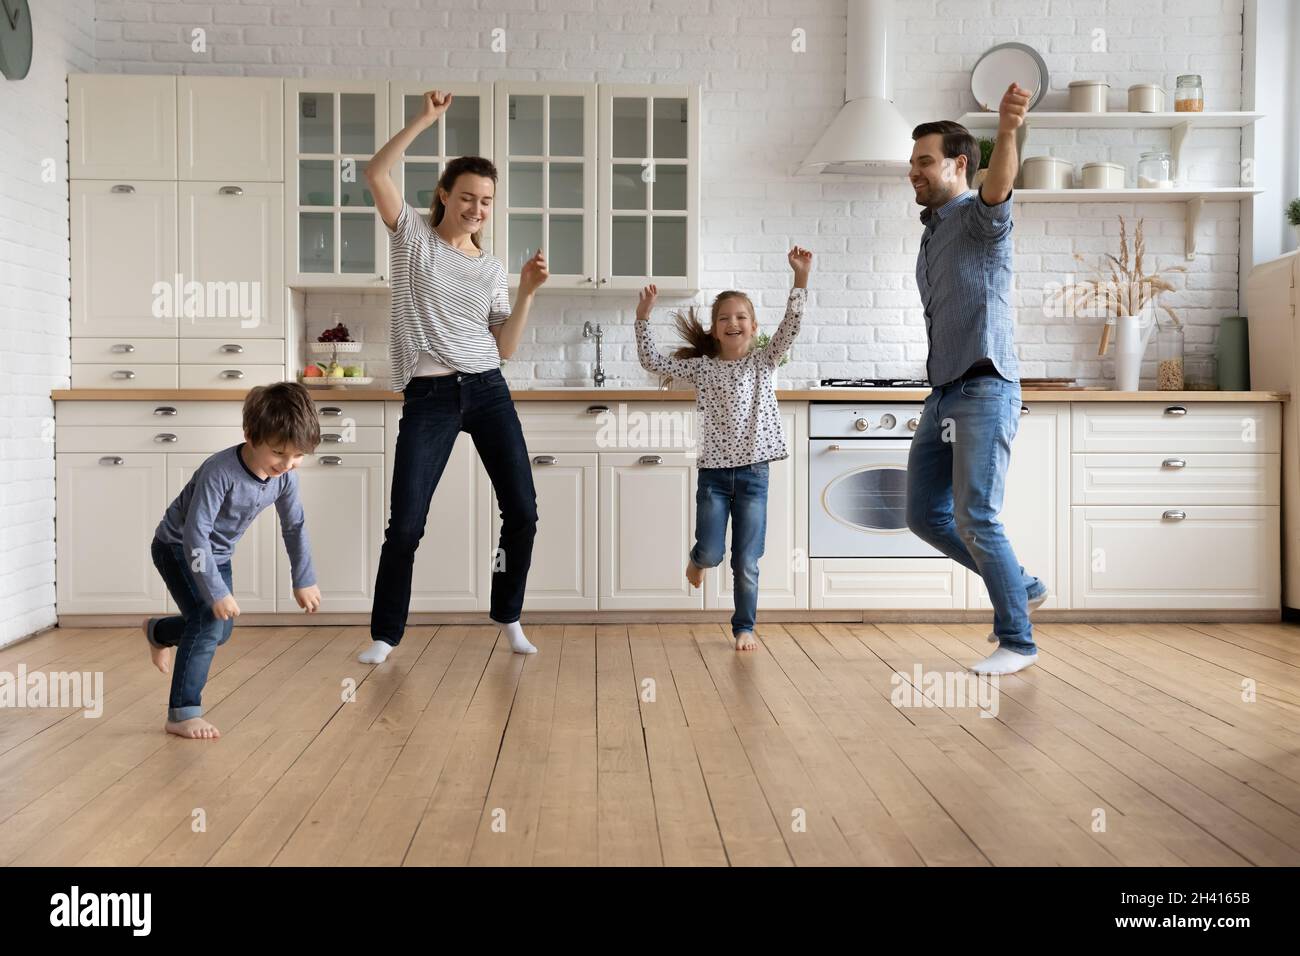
(124, 259)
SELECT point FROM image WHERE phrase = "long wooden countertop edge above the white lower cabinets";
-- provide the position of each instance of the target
(346, 395)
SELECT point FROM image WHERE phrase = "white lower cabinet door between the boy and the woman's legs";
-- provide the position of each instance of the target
(343, 496)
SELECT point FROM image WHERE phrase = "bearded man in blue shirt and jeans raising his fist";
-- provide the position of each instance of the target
(960, 453)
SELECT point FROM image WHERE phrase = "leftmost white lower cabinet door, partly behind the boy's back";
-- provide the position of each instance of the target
(107, 509)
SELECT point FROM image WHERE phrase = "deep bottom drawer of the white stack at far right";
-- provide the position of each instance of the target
(1146, 557)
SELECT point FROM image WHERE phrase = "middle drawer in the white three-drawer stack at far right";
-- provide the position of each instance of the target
(1193, 479)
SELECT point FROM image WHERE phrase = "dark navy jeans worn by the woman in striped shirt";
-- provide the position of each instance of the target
(435, 410)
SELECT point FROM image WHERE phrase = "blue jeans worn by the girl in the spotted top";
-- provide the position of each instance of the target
(740, 494)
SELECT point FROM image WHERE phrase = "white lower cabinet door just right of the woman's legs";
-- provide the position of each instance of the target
(564, 572)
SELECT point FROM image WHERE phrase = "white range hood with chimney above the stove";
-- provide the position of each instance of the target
(869, 137)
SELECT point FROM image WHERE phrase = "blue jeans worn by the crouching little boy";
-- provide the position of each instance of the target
(194, 633)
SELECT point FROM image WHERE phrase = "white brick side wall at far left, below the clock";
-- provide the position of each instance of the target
(34, 308)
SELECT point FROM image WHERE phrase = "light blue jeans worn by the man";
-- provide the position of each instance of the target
(956, 478)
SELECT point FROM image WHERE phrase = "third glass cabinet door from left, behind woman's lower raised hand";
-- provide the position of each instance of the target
(547, 196)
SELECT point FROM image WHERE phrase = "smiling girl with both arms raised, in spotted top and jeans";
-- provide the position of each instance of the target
(738, 423)
